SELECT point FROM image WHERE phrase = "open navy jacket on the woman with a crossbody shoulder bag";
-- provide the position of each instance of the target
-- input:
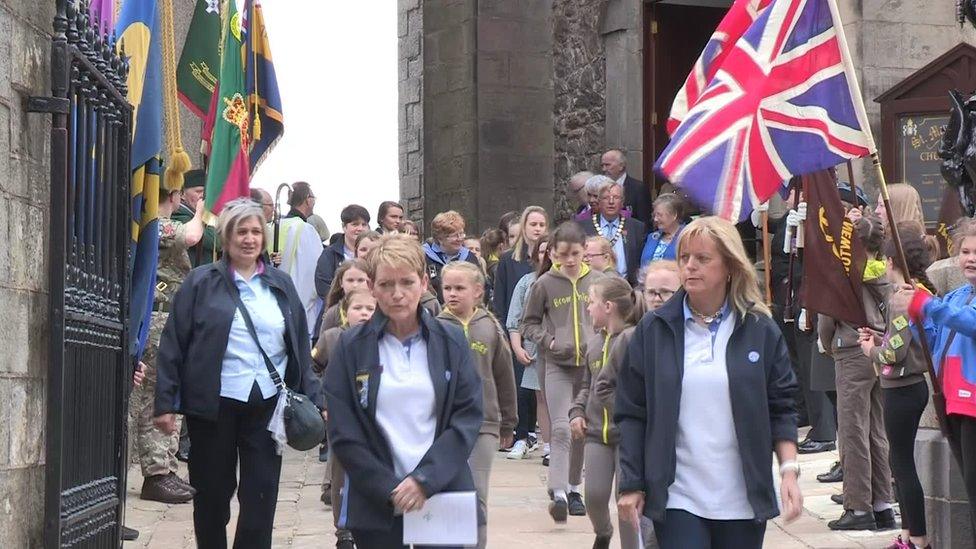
(192, 346)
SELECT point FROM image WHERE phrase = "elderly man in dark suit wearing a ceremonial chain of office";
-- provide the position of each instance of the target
(626, 235)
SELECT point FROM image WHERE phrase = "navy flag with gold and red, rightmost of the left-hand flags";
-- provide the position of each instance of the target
(262, 87)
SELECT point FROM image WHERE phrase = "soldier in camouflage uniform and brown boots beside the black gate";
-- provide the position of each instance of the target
(156, 450)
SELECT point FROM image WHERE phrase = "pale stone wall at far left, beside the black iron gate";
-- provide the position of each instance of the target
(25, 34)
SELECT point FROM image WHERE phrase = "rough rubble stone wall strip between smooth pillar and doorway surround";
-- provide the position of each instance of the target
(579, 79)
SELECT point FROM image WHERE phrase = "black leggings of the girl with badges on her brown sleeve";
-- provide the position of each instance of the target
(902, 412)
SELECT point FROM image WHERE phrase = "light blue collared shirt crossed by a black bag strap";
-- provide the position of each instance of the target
(243, 364)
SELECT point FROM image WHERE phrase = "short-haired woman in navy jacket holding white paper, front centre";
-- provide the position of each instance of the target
(403, 431)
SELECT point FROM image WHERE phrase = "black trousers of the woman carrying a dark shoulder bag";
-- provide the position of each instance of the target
(241, 430)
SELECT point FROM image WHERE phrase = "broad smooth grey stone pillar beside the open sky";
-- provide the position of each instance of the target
(487, 130)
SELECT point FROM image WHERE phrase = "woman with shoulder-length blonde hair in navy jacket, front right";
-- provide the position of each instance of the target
(713, 417)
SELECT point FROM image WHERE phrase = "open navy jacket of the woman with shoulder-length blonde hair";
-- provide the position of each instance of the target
(761, 384)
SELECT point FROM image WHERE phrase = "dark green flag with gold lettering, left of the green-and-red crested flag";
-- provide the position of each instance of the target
(196, 75)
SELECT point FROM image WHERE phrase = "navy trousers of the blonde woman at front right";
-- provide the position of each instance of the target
(683, 530)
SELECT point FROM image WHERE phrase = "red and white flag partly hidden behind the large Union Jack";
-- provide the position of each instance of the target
(739, 17)
